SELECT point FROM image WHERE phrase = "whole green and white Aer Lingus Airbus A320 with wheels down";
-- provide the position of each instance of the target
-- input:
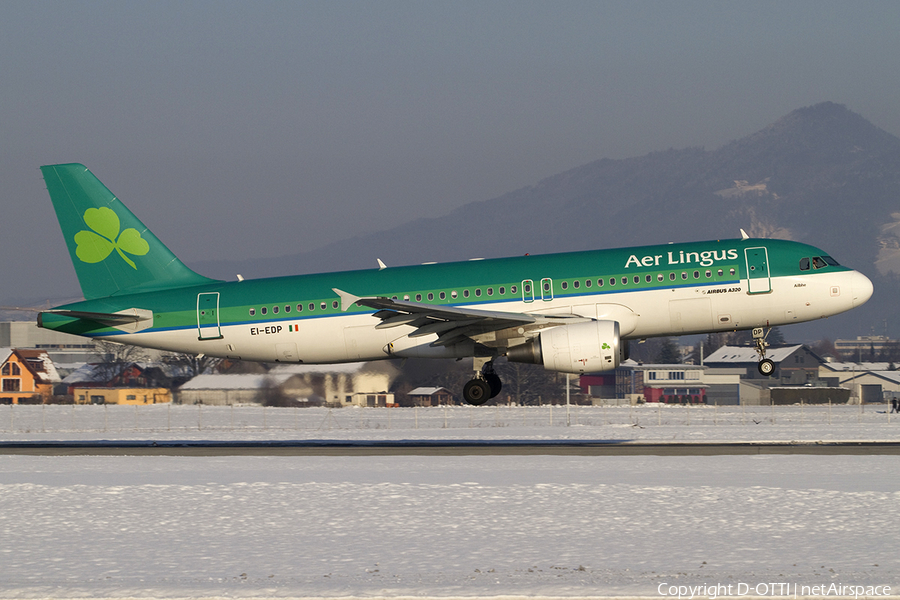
(568, 312)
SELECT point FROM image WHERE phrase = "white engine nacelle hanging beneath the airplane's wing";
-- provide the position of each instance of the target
(579, 348)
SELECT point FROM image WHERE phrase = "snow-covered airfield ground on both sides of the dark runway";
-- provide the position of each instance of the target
(251, 526)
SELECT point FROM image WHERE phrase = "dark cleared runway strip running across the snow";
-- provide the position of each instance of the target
(440, 448)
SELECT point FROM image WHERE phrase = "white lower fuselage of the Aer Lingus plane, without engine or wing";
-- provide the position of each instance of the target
(640, 314)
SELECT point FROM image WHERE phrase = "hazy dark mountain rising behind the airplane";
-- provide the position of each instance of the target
(822, 175)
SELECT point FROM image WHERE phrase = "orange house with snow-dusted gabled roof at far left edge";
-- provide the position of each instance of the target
(26, 376)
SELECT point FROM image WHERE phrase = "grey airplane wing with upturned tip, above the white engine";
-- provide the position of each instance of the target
(452, 324)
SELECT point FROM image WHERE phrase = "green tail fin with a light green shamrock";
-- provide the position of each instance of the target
(113, 252)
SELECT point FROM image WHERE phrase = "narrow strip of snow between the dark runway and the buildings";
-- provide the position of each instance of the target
(246, 419)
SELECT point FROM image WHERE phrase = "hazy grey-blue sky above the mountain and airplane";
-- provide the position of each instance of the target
(267, 128)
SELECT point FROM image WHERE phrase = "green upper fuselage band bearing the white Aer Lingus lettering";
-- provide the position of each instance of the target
(691, 264)
